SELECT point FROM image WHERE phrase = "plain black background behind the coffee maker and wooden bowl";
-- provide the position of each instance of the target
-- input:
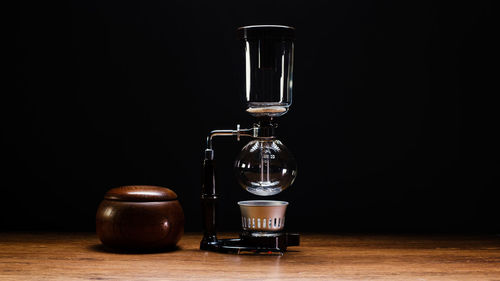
(393, 123)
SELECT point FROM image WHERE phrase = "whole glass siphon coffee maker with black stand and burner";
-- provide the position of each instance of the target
(264, 166)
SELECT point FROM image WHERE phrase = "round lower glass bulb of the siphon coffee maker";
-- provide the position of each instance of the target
(265, 167)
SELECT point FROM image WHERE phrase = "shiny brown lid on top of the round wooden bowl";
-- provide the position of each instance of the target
(140, 193)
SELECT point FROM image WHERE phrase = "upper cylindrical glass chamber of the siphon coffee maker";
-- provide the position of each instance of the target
(268, 68)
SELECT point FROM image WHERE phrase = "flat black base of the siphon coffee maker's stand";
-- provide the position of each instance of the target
(272, 243)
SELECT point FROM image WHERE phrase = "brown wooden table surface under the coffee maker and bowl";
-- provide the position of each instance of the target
(59, 256)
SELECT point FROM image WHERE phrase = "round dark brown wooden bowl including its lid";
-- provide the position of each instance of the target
(140, 218)
